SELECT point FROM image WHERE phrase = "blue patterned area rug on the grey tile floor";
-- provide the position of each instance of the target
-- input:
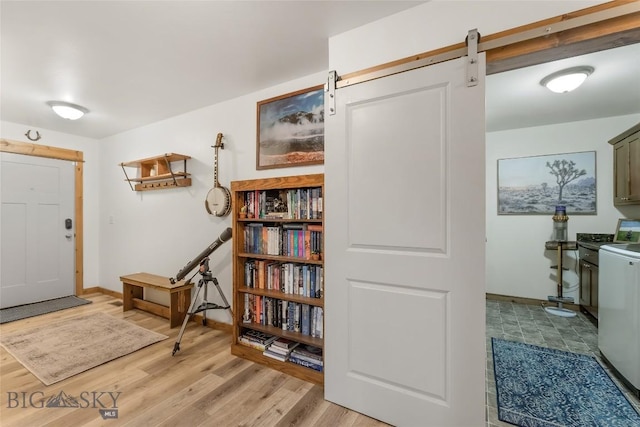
(545, 387)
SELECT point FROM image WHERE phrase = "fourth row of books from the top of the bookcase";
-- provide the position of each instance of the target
(286, 315)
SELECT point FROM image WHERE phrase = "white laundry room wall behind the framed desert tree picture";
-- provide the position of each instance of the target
(517, 263)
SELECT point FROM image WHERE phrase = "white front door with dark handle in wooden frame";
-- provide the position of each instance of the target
(38, 243)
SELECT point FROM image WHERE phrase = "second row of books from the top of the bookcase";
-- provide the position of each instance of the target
(290, 239)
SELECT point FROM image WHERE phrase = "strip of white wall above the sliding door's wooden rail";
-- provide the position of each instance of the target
(434, 25)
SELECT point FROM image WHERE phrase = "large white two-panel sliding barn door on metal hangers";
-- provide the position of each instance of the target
(405, 226)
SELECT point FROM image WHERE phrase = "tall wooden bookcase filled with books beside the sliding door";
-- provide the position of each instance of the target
(278, 271)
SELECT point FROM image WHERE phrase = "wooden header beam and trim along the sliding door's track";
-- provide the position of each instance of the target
(596, 34)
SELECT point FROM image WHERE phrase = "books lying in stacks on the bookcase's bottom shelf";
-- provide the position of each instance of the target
(284, 349)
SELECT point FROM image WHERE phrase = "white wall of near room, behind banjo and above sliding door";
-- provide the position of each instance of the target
(160, 231)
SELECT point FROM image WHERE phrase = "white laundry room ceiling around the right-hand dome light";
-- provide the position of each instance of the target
(515, 98)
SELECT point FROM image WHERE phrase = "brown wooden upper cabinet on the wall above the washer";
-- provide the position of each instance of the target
(626, 167)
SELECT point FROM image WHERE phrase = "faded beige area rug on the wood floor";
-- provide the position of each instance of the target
(66, 348)
